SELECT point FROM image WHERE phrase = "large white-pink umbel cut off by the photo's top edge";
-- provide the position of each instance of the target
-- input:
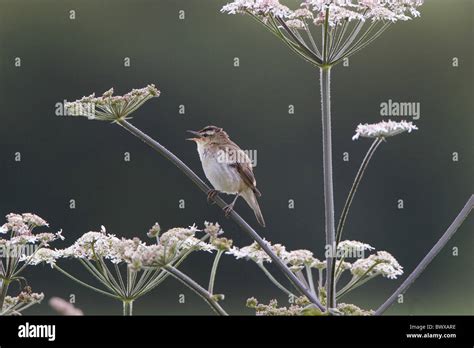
(341, 23)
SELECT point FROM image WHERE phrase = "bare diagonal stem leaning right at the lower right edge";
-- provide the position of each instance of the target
(430, 256)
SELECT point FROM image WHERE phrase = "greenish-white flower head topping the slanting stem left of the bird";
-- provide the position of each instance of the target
(109, 107)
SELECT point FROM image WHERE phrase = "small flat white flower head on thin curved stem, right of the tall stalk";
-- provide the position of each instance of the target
(383, 129)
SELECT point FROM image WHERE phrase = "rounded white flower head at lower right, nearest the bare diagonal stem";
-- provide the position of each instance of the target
(382, 263)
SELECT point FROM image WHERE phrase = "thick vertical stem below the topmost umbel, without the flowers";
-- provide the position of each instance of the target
(328, 180)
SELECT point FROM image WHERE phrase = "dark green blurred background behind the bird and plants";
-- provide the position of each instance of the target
(191, 61)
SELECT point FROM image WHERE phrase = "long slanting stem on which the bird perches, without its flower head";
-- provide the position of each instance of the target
(221, 203)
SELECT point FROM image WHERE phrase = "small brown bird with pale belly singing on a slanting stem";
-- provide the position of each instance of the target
(227, 167)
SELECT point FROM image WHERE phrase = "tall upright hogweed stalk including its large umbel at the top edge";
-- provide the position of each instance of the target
(324, 33)
